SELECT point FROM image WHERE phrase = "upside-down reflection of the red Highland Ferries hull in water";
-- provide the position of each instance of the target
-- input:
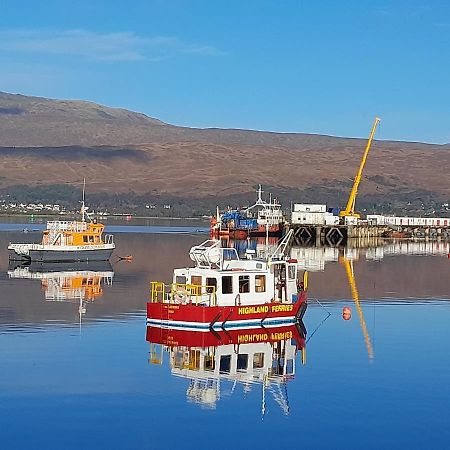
(183, 338)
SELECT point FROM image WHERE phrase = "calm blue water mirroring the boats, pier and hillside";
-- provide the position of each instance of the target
(81, 374)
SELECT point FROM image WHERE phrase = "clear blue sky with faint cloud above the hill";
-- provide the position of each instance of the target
(323, 67)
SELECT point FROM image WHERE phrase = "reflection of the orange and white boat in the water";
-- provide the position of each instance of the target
(61, 282)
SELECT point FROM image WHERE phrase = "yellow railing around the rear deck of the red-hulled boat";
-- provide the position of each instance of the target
(183, 293)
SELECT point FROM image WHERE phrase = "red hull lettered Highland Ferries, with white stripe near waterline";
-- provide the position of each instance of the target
(190, 315)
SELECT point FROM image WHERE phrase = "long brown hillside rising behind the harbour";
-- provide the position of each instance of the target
(45, 141)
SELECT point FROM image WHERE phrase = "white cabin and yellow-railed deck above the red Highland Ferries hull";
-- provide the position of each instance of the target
(221, 278)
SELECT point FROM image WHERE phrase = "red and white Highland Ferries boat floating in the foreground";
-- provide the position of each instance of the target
(224, 291)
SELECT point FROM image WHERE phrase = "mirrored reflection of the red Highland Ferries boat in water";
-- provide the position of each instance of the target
(262, 357)
